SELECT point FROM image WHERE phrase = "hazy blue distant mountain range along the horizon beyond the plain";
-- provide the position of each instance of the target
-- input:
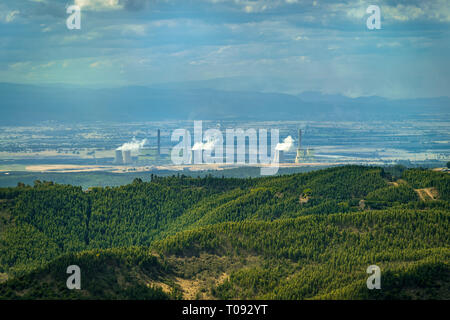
(27, 104)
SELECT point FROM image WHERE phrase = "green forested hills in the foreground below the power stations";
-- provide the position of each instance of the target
(305, 235)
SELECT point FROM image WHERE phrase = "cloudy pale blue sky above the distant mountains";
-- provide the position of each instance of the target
(288, 46)
